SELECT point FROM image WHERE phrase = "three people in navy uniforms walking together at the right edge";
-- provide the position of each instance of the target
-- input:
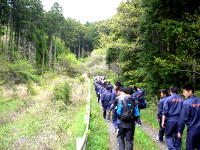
(174, 112)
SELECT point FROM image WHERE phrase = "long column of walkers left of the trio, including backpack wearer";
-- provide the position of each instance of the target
(124, 103)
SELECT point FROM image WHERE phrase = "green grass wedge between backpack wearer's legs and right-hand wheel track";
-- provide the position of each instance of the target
(142, 141)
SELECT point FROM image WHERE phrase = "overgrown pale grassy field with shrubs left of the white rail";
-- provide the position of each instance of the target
(44, 123)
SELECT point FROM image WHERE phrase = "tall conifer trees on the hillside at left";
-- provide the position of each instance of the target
(29, 35)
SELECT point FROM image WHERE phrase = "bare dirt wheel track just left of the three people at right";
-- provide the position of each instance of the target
(153, 134)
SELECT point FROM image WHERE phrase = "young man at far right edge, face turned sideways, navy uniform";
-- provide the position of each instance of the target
(190, 116)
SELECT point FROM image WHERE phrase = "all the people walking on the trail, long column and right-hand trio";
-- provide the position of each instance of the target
(174, 112)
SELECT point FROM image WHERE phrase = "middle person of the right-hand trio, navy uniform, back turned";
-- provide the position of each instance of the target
(171, 114)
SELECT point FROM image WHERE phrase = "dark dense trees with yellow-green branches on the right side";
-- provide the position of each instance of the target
(155, 43)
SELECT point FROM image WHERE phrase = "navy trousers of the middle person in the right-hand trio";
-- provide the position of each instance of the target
(172, 140)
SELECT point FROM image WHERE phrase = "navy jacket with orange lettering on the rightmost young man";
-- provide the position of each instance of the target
(190, 114)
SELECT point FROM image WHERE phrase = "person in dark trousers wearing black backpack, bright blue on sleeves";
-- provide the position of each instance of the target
(128, 112)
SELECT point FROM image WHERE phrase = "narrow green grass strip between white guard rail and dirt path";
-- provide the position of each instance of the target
(98, 138)
